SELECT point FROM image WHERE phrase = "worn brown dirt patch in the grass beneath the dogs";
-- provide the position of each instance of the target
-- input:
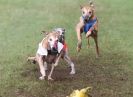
(106, 75)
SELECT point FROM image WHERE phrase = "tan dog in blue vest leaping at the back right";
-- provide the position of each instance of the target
(88, 24)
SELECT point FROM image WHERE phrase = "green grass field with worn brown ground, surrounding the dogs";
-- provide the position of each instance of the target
(21, 23)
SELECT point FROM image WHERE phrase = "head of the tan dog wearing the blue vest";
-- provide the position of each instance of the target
(87, 11)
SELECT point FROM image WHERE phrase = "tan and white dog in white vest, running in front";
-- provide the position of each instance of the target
(50, 50)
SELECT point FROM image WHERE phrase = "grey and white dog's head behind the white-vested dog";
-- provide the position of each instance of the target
(61, 32)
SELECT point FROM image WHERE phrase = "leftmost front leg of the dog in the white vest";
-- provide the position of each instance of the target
(42, 69)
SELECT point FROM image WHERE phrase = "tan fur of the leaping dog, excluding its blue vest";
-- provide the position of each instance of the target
(79, 27)
